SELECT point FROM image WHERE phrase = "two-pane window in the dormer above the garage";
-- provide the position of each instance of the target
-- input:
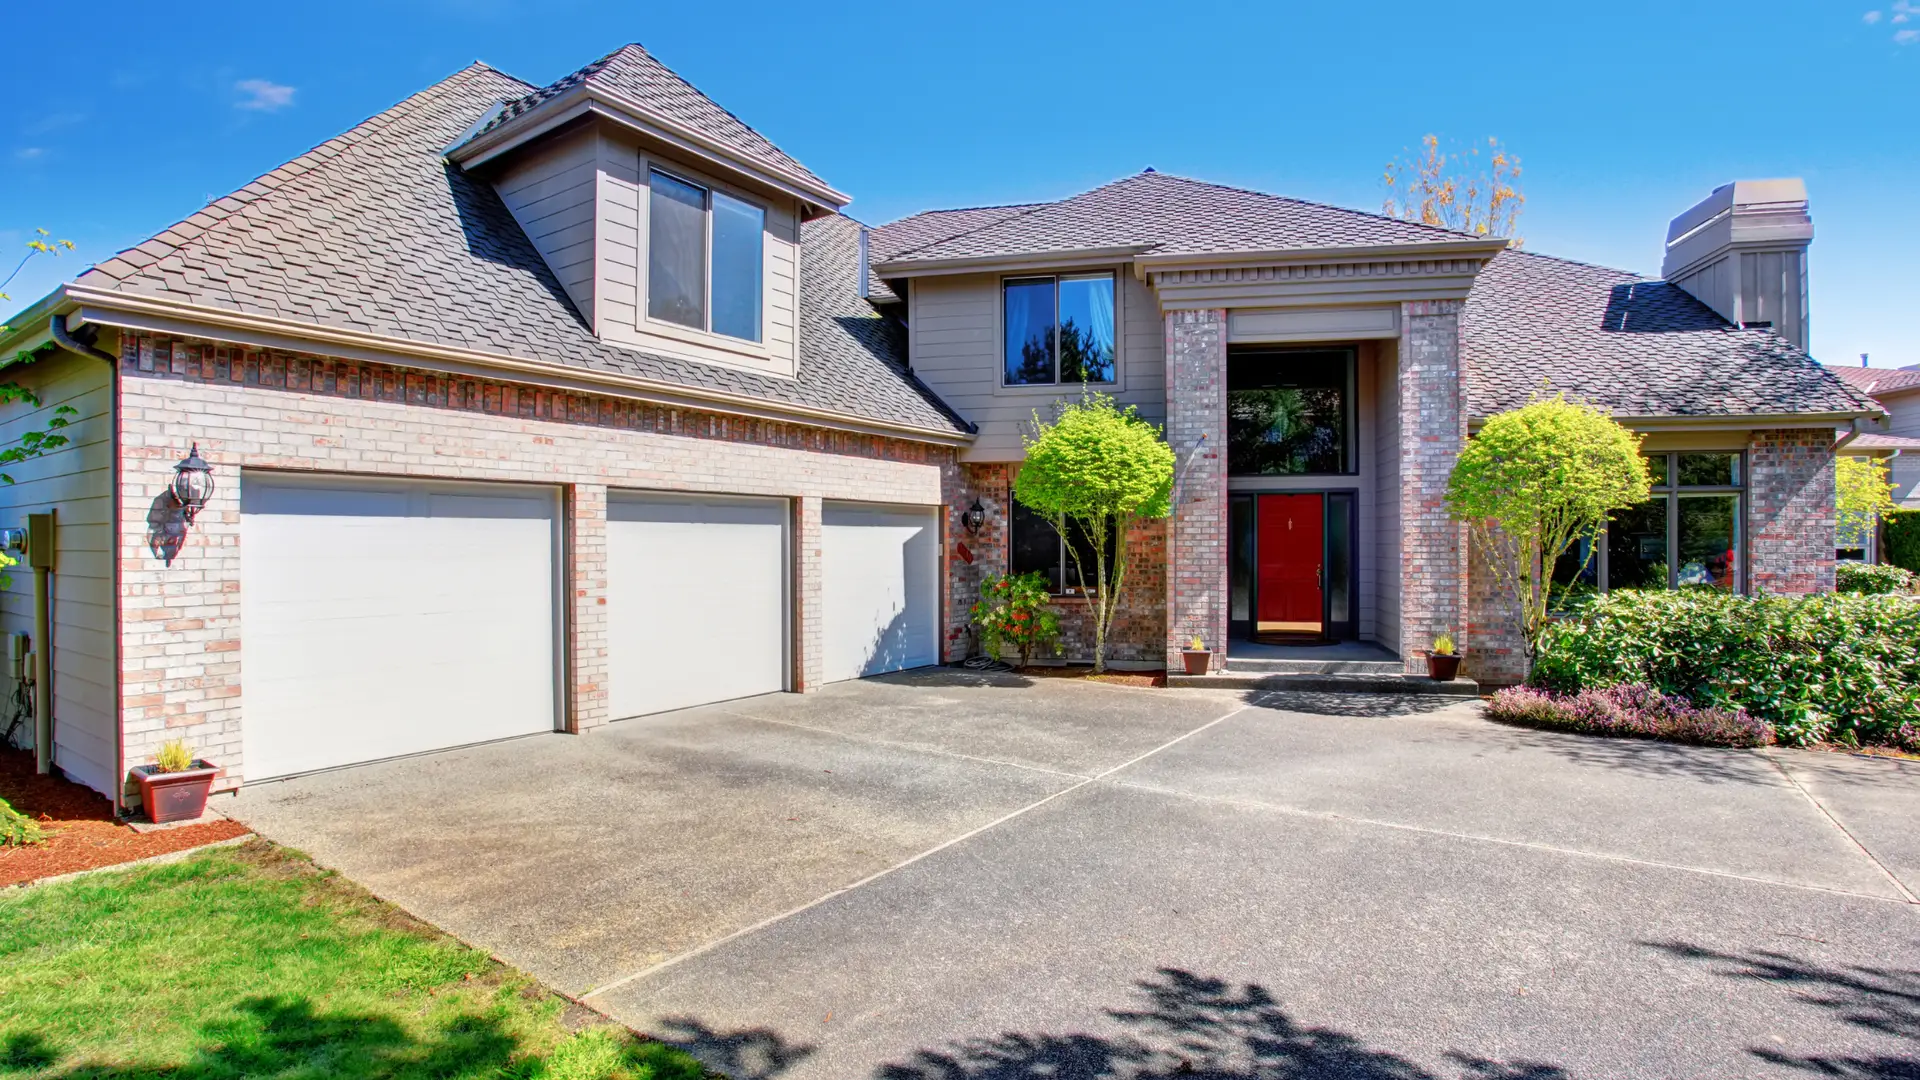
(704, 258)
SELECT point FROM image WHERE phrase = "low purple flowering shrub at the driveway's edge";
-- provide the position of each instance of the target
(1629, 712)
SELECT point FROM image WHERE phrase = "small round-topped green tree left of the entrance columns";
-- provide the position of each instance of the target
(1093, 472)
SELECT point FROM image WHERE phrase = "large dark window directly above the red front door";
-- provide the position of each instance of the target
(1289, 412)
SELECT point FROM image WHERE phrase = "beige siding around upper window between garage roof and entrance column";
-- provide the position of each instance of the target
(955, 349)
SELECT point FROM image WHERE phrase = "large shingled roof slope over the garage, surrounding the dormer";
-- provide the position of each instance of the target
(373, 232)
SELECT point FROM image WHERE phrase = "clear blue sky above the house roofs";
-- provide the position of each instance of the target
(130, 118)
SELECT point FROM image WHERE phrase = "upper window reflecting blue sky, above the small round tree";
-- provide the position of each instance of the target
(1059, 330)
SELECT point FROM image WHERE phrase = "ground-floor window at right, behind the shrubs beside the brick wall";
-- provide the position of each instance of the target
(1687, 535)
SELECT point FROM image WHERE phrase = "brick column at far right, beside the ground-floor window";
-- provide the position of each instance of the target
(1790, 512)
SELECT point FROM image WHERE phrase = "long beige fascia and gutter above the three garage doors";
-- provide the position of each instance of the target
(162, 316)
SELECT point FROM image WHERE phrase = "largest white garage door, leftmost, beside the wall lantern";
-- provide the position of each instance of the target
(385, 618)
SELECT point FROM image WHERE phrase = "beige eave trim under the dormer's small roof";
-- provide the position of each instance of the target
(635, 116)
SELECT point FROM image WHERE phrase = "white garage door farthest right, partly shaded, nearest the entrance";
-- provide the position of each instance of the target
(880, 589)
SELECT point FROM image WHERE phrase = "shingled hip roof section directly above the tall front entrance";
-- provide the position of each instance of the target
(1157, 214)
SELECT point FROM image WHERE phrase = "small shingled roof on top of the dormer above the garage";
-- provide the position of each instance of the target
(636, 76)
